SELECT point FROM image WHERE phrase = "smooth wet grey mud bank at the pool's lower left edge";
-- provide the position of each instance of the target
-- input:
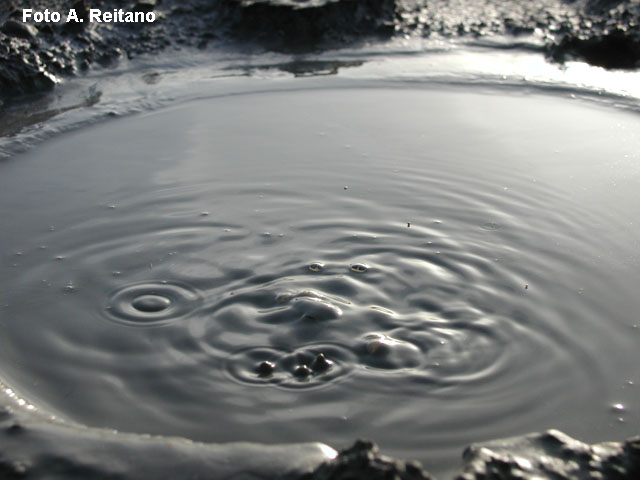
(35, 446)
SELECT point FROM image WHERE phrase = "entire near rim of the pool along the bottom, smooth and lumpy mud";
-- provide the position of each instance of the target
(36, 446)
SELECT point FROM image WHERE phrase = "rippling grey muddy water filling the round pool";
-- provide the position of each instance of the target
(319, 260)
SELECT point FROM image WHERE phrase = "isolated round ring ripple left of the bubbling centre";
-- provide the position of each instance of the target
(150, 304)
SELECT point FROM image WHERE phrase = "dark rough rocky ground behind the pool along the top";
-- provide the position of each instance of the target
(34, 56)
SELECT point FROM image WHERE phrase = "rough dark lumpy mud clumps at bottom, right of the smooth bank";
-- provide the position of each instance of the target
(549, 455)
